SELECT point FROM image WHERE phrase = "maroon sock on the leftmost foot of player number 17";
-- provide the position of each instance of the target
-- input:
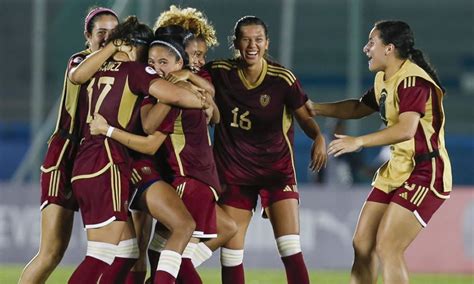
(89, 271)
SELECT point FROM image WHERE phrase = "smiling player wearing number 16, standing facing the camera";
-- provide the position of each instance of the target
(253, 146)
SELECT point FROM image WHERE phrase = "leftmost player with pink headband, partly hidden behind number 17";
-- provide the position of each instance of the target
(57, 203)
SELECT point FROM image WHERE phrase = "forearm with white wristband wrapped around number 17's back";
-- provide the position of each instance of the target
(146, 145)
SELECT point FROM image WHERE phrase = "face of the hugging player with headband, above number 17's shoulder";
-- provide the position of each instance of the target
(163, 60)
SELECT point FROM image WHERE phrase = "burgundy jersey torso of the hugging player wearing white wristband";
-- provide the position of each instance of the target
(188, 147)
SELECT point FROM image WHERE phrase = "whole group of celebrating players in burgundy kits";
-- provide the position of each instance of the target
(132, 143)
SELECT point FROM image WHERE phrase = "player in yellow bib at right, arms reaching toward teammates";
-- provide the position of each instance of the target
(412, 185)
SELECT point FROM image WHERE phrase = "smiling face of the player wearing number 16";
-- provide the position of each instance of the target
(252, 44)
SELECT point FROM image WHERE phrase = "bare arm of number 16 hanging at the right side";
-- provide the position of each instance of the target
(311, 129)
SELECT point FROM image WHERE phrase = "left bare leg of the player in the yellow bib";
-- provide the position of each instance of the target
(365, 266)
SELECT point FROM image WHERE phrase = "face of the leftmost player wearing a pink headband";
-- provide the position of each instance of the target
(103, 25)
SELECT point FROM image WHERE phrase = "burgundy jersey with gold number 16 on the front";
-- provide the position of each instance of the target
(253, 142)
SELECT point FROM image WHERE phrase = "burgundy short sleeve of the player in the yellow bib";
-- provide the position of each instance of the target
(414, 95)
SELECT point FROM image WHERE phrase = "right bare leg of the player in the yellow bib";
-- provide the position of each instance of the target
(398, 229)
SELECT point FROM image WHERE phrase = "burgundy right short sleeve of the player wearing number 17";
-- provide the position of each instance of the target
(140, 77)
